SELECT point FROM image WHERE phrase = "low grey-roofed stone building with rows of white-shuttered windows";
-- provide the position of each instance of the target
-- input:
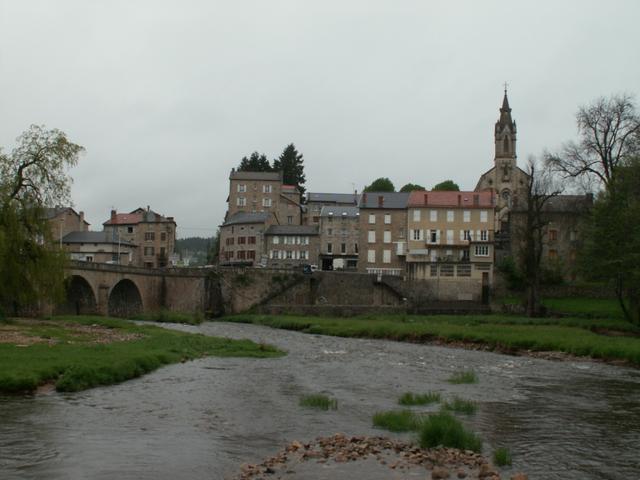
(290, 246)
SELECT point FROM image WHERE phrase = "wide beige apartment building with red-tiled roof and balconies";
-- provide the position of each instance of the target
(450, 240)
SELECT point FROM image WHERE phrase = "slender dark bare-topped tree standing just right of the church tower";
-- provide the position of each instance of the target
(530, 223)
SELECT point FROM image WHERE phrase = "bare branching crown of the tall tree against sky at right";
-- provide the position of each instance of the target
(609, 134)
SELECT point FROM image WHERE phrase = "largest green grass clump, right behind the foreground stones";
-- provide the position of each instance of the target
(443, 429)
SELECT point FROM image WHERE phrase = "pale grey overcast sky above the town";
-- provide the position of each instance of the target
(167, 96)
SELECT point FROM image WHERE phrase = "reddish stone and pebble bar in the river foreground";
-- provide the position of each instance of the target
(383, 457)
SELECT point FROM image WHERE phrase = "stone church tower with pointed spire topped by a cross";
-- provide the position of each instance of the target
(506, 179)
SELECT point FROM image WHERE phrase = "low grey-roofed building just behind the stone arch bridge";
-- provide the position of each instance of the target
(99, 247)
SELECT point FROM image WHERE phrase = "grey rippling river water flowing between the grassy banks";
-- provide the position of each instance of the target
(203, 419)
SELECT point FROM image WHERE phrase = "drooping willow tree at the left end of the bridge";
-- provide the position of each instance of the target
(32, 177)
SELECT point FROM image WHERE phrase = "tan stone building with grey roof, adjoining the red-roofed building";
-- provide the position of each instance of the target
(382, 239)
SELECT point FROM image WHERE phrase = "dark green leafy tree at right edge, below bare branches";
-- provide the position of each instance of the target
(611, 250)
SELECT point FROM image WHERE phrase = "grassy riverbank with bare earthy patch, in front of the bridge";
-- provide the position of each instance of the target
(77, 353)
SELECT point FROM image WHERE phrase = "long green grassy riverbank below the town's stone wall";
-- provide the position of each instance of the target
(607, 338)
